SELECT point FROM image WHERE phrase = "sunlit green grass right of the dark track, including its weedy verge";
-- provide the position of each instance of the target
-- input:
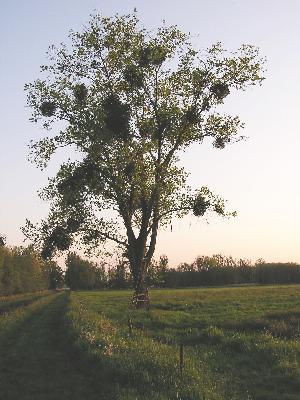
(239, 342)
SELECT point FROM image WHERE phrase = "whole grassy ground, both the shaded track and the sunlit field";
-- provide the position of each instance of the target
(238, 343)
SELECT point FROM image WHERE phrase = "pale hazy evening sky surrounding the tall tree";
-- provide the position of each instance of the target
(259, 177)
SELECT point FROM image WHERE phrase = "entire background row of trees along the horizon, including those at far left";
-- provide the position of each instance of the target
(23, 270)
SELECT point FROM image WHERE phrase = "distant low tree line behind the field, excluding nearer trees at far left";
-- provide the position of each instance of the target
(217, 270)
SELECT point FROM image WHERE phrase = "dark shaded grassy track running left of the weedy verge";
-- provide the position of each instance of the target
(35, 360)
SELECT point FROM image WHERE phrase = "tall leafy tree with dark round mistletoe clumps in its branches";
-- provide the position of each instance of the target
(129, 101)
